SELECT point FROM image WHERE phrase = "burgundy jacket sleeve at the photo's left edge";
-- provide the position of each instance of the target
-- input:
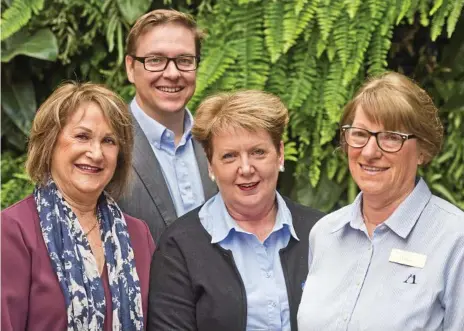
(16, 275)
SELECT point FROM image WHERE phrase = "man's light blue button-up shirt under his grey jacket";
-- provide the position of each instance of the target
(178, 164)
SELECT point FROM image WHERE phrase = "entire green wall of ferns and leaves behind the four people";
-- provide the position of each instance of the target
(312, 53)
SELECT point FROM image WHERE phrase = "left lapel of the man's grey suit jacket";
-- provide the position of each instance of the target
(148, 168)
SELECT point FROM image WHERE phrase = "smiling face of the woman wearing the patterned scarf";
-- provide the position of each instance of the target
(85, 154)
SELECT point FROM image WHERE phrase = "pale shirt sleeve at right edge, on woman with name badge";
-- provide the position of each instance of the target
(454, 290)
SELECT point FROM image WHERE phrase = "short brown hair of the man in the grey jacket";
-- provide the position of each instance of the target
(160, 17)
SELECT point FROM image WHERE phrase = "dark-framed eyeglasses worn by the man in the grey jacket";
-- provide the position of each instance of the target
(157, 63)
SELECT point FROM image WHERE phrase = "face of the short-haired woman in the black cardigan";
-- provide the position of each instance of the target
(246, 166)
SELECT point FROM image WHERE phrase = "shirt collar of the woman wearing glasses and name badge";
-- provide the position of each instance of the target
(403, 218)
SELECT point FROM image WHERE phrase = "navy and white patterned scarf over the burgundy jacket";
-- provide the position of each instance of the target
(76, 267)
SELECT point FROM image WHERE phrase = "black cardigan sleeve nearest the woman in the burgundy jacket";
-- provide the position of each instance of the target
(171, 300)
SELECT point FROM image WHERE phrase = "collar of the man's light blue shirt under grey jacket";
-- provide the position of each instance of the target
(157, 133)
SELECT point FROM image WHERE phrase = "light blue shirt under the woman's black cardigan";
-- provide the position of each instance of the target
(258, 263)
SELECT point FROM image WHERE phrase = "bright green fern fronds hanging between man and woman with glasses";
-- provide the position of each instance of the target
(313, 54)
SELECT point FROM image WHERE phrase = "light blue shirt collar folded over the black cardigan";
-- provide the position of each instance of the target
(219, 224)
